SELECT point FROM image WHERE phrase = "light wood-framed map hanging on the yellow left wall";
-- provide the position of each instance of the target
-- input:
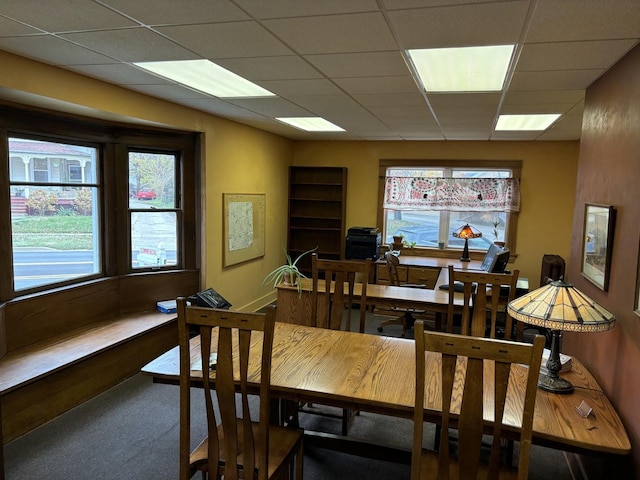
(243, 227)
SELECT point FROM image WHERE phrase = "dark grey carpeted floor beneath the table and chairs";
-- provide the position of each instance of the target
(131, 432)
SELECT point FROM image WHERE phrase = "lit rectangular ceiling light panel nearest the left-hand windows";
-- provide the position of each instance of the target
(206, 77)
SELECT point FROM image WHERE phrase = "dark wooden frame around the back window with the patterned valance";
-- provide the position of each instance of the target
(512, 217)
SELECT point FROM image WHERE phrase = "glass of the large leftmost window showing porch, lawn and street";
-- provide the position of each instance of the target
(54, 219)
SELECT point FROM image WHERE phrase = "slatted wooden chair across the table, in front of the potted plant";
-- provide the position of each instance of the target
(328, 310)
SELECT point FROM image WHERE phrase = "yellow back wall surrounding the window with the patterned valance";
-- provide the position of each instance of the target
(547, 187)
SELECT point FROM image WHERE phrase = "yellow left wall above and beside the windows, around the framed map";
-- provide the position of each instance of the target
(238, 159)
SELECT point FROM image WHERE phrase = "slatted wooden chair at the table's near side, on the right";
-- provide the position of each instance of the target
(463, 402)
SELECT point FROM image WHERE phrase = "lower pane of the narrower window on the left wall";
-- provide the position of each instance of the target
(154, 239)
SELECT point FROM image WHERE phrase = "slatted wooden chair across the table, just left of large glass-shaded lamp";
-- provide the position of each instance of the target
(482, 296)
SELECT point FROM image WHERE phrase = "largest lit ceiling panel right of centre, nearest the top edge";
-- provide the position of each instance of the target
(467, 69)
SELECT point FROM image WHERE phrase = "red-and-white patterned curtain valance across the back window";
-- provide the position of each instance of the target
(455, 194)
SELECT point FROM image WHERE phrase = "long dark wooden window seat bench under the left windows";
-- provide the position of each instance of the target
(77, 344)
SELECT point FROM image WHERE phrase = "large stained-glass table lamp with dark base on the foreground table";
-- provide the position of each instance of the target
(560, 306)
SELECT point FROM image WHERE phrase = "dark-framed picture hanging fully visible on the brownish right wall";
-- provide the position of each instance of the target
(597, 243)
